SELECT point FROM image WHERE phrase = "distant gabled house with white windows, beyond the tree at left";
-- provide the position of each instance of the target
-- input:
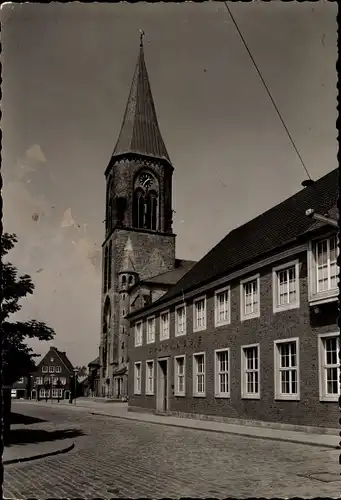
(53, 377)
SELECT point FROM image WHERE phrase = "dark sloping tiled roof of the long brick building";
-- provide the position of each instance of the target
(262, 236)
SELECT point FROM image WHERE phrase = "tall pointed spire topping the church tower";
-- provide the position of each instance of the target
(140, 131)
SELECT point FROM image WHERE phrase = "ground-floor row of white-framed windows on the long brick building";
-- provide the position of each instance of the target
(287, 379)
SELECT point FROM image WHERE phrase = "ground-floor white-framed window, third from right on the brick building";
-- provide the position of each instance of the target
(250, 371)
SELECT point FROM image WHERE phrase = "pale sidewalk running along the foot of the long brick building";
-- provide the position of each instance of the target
(120, 410)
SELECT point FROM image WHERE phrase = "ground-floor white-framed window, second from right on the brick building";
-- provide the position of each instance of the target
(286, 369)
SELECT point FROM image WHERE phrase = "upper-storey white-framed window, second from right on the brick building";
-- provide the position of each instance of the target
(285, 282)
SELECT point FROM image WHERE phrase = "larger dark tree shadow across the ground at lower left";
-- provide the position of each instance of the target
(26, 436)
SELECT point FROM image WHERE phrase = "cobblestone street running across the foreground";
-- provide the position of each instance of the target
(119, 458)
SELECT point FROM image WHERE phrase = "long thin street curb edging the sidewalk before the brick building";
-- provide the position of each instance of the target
(271, 438)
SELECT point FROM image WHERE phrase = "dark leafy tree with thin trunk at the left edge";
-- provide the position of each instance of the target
(17, 356)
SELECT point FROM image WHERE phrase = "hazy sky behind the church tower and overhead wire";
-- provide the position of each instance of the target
(67, 70)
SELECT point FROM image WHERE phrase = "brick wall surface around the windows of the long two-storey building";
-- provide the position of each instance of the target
(264, 330)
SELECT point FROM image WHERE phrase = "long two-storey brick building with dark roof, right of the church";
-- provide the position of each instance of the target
(250, 332)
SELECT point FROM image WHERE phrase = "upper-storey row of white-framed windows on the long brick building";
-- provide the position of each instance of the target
(285, 296)
